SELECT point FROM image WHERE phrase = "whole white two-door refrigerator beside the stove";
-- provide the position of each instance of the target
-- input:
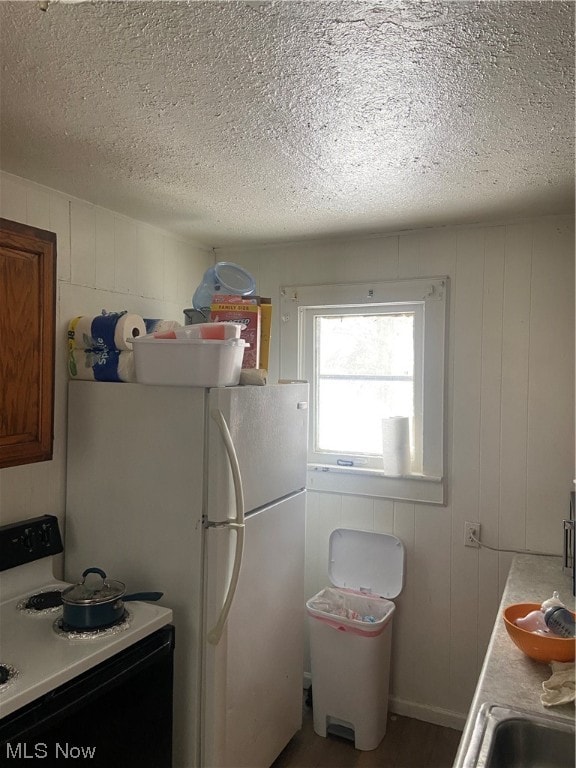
(199, 493)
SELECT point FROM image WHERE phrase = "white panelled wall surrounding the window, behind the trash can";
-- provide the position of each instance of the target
(510, 434)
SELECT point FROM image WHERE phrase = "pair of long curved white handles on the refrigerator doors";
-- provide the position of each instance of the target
(237, 524)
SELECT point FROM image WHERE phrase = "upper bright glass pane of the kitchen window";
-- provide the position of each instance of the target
(381, 345)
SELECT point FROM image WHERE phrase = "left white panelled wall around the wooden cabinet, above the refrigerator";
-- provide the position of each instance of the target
(104, 261)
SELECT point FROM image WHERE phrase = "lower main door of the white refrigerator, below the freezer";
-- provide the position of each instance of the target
(252, 693)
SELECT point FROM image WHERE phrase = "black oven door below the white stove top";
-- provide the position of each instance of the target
(115, 715)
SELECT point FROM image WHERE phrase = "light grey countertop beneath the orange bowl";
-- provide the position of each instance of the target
(508, 677)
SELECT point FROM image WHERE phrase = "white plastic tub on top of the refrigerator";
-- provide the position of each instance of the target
(188, 362)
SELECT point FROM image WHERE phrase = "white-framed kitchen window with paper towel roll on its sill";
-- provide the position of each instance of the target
(374, 357)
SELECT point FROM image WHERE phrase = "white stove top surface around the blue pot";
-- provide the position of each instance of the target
(35, 657)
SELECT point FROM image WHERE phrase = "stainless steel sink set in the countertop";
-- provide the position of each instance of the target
(512, 738)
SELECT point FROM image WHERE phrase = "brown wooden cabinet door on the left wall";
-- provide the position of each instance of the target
(27, 322)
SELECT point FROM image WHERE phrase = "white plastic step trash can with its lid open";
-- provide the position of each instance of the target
(351, 634)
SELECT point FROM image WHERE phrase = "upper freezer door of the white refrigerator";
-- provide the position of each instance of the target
(268, 426)
